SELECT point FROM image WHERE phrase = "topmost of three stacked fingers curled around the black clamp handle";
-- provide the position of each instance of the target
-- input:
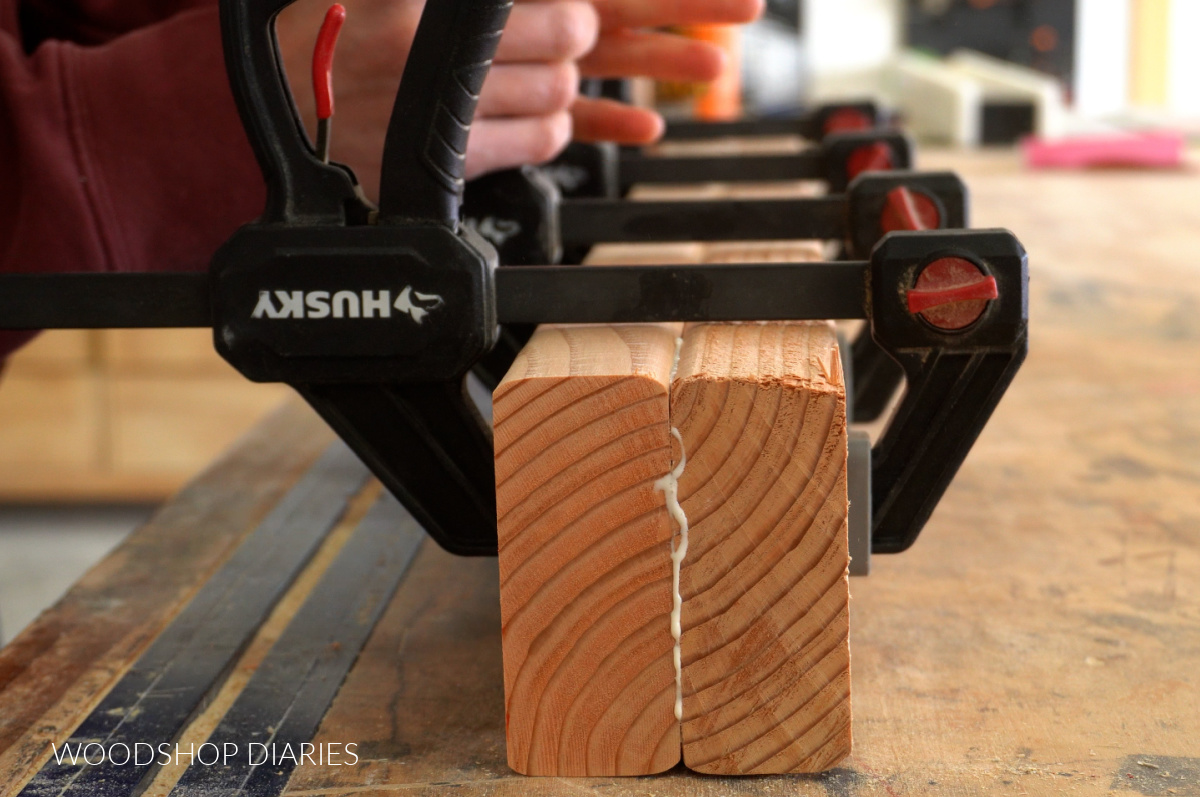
(561, 31)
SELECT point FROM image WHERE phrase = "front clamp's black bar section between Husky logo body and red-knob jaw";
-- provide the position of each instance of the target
(599, 295)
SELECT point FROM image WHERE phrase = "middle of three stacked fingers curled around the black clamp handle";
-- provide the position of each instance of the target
(530, 89)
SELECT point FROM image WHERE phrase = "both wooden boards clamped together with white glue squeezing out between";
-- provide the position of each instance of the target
(673, 550)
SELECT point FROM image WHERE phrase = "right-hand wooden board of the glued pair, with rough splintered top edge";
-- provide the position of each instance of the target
(761, 411)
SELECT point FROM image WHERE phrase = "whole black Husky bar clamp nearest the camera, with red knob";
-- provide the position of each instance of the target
(376, 320)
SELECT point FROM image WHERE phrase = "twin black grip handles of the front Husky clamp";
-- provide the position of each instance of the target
(425, 149)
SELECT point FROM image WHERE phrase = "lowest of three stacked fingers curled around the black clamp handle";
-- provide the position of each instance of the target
(506, 143)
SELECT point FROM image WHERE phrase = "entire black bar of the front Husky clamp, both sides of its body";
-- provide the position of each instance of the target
(537, 295)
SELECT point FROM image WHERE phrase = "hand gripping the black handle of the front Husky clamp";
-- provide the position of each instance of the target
(524, 115)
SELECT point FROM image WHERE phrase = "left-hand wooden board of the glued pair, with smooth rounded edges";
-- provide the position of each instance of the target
(586, 582)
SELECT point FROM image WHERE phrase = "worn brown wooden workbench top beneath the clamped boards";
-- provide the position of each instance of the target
(1043, 636)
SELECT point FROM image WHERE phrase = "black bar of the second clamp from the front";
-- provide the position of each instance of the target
(596, 221)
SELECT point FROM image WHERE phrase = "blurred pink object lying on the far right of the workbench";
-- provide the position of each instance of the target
(1130, 151)
